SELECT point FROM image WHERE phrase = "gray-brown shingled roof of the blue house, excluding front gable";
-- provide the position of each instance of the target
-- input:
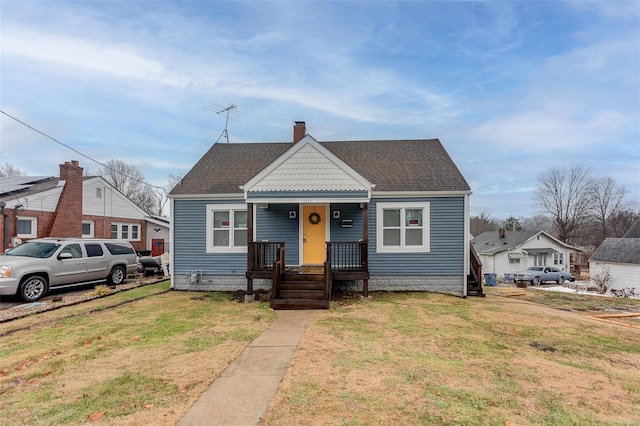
(392, 165)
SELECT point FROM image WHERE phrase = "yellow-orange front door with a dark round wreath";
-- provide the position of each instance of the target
(314, 234)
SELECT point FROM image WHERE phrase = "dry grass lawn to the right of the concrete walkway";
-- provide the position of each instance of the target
(437, 360)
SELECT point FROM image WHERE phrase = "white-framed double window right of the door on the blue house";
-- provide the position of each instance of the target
(402, 227)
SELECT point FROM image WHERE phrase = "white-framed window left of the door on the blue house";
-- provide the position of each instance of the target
(226, 228)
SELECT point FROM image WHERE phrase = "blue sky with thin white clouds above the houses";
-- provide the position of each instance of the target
(511, 89)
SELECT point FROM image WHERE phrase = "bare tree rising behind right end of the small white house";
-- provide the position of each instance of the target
(565, 196)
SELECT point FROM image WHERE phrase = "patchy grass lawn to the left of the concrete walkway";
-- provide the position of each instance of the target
(146, 361)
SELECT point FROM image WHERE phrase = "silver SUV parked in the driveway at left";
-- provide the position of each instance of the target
(32, 268)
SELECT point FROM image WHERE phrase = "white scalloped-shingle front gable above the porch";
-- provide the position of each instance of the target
(308, 170)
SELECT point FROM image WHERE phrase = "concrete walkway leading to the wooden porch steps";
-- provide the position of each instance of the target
(241, 395)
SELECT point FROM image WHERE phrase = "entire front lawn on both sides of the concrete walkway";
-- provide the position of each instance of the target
(404, 358)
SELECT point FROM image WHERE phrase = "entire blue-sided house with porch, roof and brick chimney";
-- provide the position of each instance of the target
(303, 219)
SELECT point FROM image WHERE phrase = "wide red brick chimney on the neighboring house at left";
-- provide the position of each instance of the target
(68, 216)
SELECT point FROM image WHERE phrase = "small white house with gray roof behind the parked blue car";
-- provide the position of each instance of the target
(504, 252)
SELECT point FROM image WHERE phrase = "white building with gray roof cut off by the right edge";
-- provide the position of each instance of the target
(620, 258)
